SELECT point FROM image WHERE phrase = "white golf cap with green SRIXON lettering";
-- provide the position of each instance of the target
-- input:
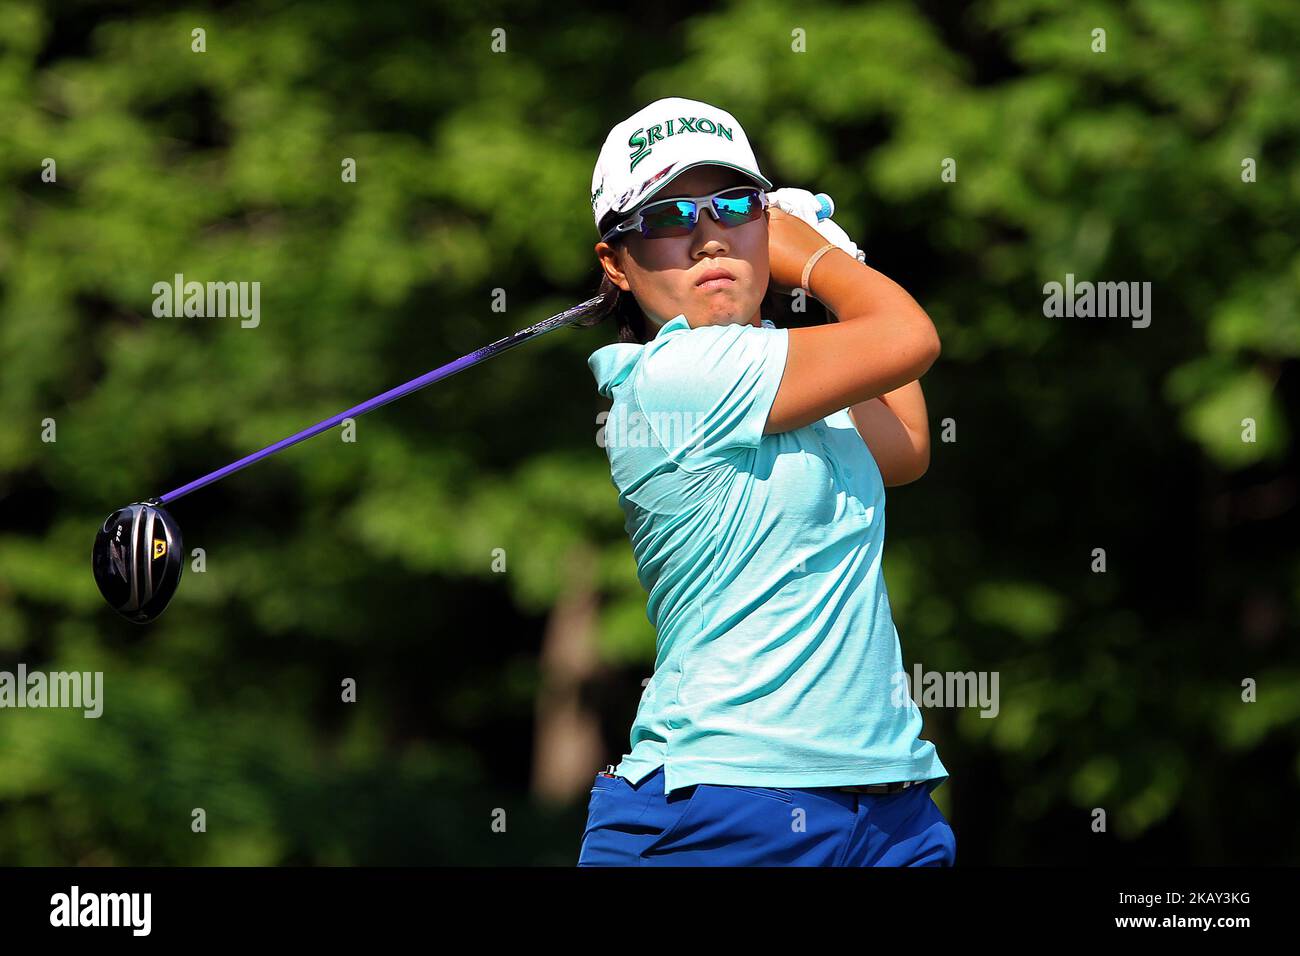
(644, 153)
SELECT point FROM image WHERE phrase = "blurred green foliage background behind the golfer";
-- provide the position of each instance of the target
(372, 560)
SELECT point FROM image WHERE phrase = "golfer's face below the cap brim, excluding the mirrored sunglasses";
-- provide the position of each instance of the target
(664, 275)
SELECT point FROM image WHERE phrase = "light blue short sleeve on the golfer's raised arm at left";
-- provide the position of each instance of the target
(707, 392)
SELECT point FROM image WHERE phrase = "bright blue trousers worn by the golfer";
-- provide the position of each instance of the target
(714, 825)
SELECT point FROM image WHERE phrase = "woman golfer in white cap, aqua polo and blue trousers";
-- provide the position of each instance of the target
(751, 462)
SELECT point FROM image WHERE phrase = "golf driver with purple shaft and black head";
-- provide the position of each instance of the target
(138, 552)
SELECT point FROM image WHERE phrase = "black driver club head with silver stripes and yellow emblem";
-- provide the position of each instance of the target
(137, 560)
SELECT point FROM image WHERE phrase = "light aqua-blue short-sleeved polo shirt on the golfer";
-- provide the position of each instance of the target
(777, 654)
